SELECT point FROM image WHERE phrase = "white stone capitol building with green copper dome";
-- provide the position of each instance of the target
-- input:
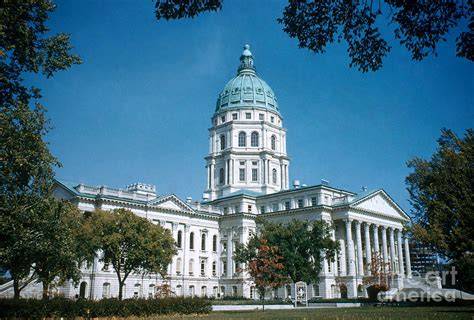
(247, 177)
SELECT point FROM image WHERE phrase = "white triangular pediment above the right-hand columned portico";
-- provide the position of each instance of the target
(382, 203)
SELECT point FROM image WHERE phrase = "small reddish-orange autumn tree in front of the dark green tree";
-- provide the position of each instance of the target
(264, 265)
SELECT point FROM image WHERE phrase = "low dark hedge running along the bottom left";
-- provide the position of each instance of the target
(60, 307)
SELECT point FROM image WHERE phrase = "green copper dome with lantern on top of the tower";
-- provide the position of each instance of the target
(247, 90)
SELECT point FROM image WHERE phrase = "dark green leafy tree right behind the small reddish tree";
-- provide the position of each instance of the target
(303, 245)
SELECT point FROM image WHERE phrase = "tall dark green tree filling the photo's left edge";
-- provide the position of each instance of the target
(26, 173)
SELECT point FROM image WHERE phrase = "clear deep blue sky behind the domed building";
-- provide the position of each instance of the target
(139, 107)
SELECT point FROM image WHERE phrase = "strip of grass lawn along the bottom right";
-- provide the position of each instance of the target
(444, 313)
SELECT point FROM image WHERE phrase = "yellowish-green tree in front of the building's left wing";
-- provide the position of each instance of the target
(130, 243)
